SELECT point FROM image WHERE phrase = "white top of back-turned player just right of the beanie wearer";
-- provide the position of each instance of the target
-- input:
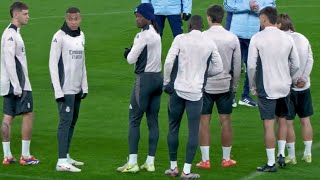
(194, 52)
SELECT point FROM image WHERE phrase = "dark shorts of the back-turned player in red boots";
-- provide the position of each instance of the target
(223, 101)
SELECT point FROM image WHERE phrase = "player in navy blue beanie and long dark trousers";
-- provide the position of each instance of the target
(147, 90)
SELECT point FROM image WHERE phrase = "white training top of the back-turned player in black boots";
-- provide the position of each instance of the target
(273, 63)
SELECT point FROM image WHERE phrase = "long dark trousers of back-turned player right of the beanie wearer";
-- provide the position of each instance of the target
(176, 108)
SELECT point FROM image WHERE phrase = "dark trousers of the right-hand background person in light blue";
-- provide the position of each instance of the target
(244, 46)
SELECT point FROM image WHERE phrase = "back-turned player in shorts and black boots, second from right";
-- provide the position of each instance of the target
(273, 65)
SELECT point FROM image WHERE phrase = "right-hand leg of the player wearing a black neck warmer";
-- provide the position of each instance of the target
(76, 110)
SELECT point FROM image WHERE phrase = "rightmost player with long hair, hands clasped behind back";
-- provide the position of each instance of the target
(300, 95)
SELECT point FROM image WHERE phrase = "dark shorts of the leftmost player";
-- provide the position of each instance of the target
(14, 105)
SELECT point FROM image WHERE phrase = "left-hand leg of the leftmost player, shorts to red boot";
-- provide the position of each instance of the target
(9, 113)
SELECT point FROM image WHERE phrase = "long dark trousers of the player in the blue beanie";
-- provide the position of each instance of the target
(145, 98)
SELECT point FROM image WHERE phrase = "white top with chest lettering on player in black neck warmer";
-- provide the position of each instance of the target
(67, 64)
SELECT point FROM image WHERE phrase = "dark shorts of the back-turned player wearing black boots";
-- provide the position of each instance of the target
(270, 108)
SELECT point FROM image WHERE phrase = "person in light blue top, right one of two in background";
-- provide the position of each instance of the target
(242, 19)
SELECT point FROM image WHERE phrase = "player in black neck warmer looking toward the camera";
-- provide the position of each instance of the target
(69, 80)
